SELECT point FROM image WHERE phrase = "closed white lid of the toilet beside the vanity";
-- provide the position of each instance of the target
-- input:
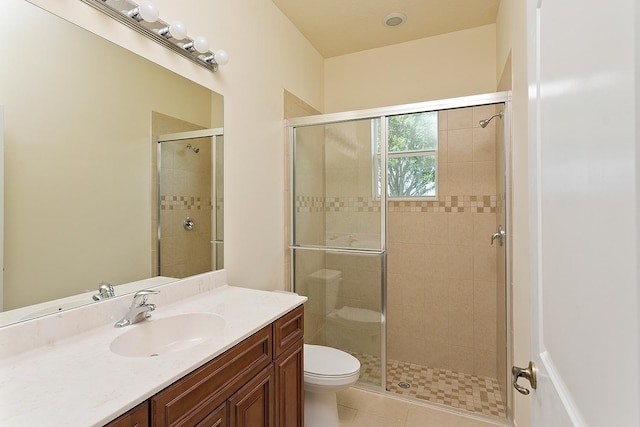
(327, 361)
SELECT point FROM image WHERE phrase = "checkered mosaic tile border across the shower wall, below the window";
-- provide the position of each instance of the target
(452, 204)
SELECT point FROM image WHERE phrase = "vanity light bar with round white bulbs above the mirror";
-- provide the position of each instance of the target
(144, 17)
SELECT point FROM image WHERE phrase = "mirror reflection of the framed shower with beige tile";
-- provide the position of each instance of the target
(190, 194)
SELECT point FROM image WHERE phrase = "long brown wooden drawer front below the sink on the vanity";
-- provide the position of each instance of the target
(198, 394)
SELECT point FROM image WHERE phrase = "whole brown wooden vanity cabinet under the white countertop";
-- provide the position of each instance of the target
(257, 383)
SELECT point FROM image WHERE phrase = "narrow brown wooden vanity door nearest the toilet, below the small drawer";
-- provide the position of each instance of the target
(289, 370)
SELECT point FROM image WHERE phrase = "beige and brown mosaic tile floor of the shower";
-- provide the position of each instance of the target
(455, 389)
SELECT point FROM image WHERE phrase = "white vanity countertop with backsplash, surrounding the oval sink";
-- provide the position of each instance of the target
(49, 377)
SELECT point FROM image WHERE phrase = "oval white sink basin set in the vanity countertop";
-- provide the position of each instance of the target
(167, 335)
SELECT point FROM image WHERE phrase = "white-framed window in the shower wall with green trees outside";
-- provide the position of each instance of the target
(412, 155)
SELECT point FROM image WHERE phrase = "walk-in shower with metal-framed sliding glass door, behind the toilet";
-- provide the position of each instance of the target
(398, 219)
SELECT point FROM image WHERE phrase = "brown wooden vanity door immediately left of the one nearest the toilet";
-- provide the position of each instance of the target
(253, 405)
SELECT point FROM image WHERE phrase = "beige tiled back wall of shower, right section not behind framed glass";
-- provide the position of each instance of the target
(441, 266)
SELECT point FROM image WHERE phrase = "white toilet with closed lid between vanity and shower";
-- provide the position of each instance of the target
(326, 371)
